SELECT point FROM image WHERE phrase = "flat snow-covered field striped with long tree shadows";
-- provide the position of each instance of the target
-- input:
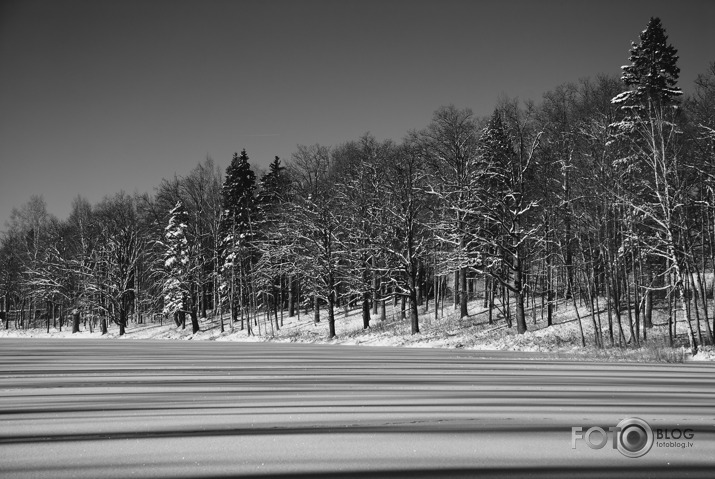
(96, 408)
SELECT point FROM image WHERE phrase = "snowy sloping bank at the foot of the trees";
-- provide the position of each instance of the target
(562, 340)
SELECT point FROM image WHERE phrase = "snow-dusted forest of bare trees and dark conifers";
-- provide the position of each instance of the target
(602, 193)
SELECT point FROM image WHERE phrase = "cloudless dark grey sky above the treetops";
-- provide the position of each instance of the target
(102, 96)
